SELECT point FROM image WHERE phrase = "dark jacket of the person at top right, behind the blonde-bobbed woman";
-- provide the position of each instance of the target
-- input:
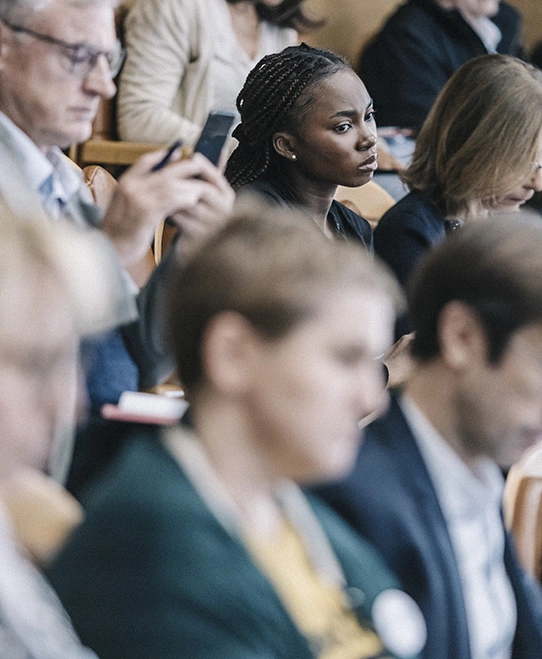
(421, 45)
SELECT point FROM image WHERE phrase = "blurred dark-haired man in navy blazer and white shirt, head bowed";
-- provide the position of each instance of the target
(426, 488)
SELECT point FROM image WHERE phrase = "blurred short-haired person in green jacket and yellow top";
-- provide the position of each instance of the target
(198, 541)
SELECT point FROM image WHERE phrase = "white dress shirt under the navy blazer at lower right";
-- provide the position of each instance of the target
(470, 498)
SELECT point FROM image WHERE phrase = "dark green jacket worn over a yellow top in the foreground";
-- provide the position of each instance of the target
(152, 573)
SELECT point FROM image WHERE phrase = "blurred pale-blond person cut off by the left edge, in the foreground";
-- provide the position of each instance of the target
(54, 286)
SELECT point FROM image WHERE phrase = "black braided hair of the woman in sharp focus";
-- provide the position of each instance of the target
(270, 101)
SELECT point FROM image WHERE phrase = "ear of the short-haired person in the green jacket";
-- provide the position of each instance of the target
(226, 350)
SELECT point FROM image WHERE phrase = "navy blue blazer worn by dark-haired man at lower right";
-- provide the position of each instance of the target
(390, 499)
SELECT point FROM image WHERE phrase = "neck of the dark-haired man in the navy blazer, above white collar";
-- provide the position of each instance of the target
(432, 388)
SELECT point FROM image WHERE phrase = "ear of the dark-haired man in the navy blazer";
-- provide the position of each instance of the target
(462, 338)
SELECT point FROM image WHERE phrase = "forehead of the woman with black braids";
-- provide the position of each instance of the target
(341, 91)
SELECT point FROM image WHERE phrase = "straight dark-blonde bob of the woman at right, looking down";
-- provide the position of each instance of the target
(482, 136)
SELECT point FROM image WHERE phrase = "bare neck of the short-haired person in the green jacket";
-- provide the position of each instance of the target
(239, 462)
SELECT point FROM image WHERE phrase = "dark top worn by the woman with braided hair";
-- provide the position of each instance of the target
(344, 222)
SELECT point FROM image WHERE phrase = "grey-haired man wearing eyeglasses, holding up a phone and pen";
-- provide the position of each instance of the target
(58, 59)
